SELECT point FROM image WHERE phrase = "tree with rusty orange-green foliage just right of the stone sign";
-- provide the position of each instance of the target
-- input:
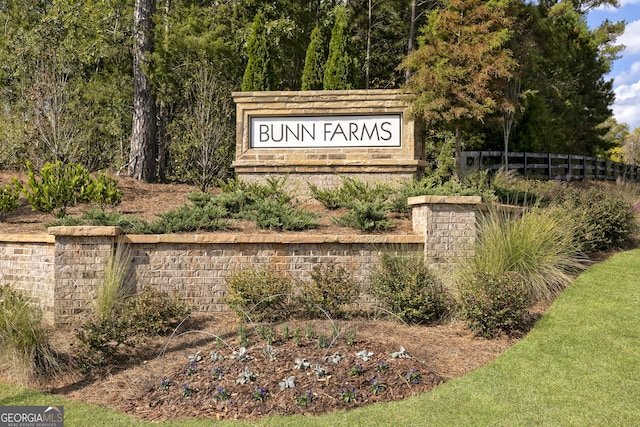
(459, 69)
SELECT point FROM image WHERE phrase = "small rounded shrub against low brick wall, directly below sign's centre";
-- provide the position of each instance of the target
(330, 289)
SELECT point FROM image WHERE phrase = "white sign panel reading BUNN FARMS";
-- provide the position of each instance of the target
(326, 131)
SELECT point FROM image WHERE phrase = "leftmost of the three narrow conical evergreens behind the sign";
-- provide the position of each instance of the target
(258, 76)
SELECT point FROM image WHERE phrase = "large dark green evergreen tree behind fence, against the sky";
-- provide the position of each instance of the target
(569, 97)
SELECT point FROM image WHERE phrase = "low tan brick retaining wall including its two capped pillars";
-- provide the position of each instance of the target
(62, 270)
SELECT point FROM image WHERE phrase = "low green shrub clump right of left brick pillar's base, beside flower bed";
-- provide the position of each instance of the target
(99, 340)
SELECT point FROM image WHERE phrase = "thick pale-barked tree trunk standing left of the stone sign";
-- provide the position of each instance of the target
(142, 156)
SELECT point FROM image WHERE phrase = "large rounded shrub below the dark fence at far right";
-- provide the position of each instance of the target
(604, 219)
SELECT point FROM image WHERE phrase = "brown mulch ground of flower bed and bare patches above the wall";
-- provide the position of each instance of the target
(157, 381)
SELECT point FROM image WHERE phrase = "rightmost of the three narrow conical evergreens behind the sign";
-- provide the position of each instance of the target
(338, 73)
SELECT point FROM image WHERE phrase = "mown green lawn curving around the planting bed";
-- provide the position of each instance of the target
(580, 366)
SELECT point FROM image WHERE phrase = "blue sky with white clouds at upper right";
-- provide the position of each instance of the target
(626, 70)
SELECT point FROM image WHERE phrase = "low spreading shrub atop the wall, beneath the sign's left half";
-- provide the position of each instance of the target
(275, 215)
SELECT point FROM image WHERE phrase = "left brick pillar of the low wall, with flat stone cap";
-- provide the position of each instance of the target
(81, 255)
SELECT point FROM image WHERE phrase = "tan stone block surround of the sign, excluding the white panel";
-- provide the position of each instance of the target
(323, 166)
